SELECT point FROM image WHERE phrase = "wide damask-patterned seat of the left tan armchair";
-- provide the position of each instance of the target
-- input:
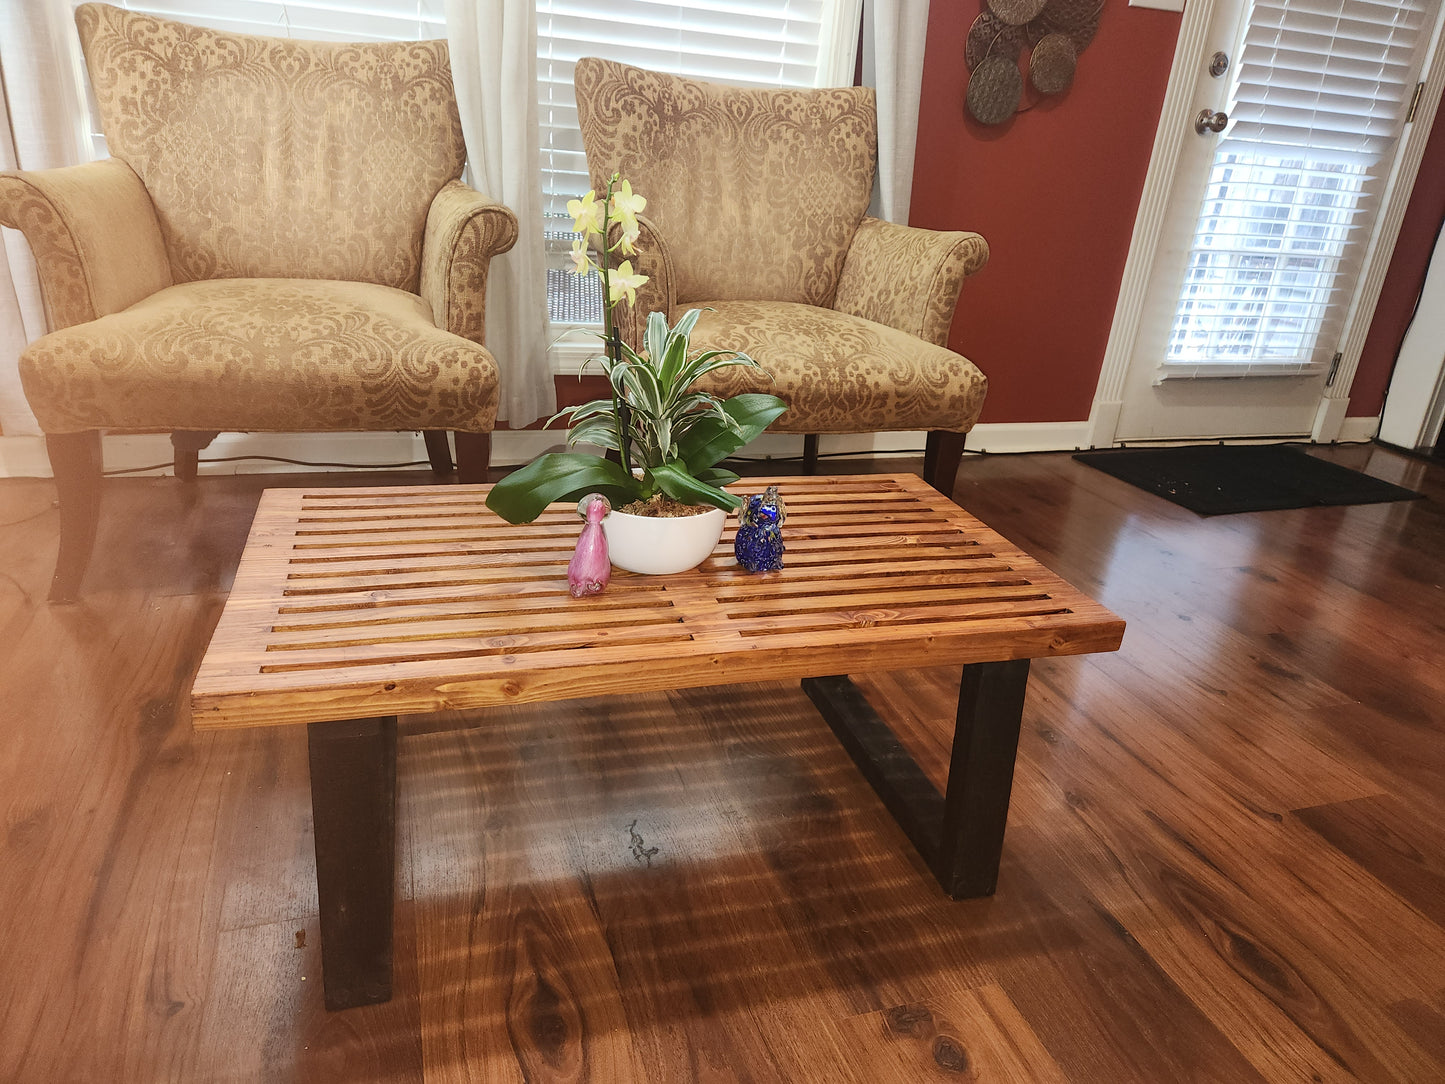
(262, 355)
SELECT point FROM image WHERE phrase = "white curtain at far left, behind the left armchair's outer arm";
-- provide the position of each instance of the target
(41, 128)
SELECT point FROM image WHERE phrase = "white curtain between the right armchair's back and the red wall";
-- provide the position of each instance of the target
(894, 37)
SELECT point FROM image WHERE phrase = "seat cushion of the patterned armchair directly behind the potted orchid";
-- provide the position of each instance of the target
(840, 374)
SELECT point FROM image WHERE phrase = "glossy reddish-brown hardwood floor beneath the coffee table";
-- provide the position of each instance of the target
(1226, 853)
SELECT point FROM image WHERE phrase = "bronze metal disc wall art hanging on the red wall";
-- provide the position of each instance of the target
(1054, 33)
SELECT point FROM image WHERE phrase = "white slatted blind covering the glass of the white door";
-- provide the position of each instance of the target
(1321, 93)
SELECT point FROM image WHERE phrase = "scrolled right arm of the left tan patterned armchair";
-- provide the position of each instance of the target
(465, 231)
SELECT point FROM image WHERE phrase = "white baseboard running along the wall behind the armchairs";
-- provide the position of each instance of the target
(24, 457)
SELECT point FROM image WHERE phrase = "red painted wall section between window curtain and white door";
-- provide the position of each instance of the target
(1056, 193)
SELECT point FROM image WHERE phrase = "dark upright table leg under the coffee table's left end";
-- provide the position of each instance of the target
(353, 807)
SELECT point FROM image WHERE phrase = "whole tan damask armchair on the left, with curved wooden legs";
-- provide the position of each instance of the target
(280, 242)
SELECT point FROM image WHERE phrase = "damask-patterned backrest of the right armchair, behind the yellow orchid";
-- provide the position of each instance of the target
(756, 193)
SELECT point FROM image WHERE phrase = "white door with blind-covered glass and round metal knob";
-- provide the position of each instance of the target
(1291, 135)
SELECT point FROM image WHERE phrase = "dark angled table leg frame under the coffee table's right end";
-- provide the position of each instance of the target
(960, 835)
